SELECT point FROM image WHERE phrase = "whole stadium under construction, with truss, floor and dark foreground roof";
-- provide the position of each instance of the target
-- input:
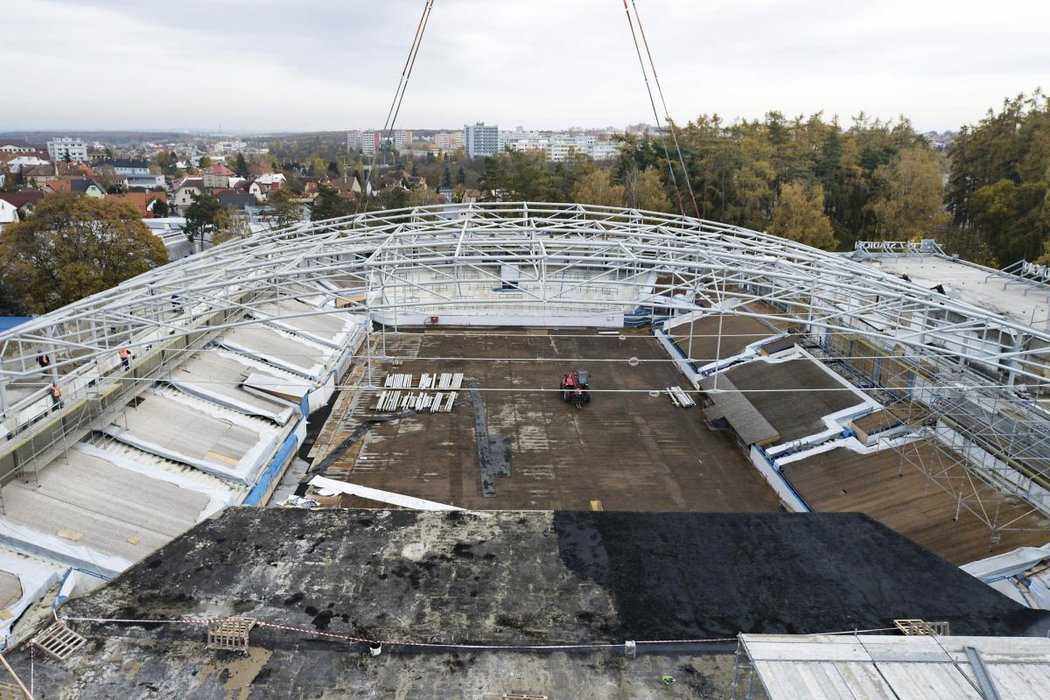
(746, 394)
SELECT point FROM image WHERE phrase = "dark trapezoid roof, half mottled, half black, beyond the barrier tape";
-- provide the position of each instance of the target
(543, 578)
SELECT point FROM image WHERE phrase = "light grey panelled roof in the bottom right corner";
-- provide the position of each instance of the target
(869, 667)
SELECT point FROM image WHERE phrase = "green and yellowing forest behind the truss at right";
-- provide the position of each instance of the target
(816, 181)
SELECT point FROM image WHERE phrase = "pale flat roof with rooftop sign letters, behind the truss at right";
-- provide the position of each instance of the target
(1023, 302)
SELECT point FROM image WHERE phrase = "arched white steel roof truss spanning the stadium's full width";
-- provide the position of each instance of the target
(359, 261)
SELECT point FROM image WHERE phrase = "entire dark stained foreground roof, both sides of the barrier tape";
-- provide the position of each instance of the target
(499, 579)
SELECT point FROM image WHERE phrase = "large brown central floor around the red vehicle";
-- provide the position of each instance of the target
(626, 451)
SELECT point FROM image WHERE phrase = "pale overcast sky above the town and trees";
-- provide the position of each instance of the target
(334, 65)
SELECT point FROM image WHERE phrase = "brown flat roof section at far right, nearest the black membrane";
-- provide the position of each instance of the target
(889, 489)
